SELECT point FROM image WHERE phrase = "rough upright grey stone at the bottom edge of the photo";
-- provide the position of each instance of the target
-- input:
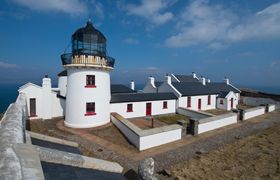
(146, 169)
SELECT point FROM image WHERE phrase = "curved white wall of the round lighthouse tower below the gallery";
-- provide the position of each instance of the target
(77, 96)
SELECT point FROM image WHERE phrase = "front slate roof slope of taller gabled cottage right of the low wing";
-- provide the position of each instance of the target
(194, 89)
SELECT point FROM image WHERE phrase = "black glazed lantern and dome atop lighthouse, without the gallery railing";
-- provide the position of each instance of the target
(88, 40)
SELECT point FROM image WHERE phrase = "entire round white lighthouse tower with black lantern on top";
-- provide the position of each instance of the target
(88, 79)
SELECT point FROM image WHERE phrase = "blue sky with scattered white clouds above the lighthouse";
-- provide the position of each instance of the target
(238, 39)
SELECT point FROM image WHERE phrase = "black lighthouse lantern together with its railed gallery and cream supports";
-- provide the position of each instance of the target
(88, 49)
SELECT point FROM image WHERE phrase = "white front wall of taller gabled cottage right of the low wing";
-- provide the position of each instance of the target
(194, 102)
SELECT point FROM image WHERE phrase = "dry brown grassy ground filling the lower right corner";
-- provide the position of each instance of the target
(253, 157)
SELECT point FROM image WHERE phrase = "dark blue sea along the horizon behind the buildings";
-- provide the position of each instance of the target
(9, 92)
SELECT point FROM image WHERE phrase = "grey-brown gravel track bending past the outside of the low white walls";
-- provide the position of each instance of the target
(164, 160)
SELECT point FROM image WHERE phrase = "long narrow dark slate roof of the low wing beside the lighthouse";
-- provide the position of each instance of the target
(137, 97)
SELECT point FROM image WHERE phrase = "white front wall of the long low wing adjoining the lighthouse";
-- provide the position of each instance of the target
(139, 108)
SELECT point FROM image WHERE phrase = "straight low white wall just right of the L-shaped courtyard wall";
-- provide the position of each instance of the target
(215, 122)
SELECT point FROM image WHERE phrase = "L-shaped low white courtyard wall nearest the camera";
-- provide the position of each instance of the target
(145, 139)
